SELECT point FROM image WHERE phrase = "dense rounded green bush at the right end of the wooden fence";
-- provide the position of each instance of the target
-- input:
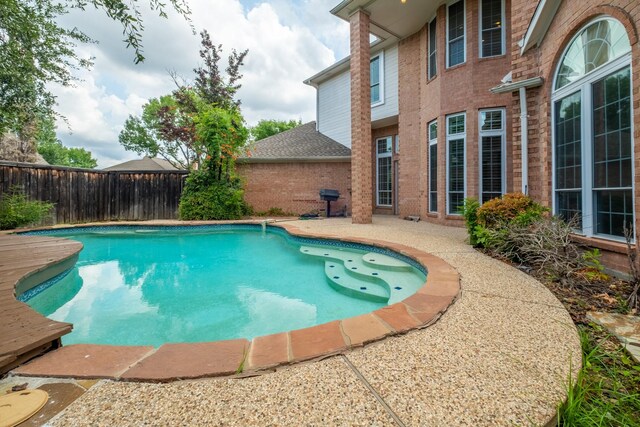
(204, 198)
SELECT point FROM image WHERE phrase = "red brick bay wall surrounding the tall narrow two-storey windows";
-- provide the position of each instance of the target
(463, 88)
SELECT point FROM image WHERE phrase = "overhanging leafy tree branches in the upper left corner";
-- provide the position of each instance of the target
(35, 51)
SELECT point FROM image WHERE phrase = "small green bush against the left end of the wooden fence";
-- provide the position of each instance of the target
(18, 211)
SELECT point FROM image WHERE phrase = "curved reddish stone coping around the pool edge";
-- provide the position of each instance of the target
(242, 357)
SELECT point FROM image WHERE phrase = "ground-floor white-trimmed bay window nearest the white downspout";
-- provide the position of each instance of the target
(492, 154)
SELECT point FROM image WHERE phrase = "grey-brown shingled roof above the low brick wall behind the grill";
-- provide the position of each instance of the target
(298, 144)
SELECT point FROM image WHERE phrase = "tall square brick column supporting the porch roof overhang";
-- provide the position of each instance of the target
(361, 167)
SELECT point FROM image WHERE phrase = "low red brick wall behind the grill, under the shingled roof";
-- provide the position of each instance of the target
(295, 187)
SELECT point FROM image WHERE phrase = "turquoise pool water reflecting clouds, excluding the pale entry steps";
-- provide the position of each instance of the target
(149, 287)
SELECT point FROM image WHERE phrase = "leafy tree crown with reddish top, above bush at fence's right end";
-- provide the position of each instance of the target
(194, 123)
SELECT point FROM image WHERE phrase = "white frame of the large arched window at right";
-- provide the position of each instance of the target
(584, 87)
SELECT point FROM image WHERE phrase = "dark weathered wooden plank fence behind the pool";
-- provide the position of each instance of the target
(85, 195)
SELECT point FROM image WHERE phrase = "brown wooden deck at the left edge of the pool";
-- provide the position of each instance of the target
(25, 261)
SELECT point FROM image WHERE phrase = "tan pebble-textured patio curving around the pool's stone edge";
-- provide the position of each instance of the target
(501, 355)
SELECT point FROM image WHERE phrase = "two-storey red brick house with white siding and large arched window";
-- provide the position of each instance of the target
(476, 98)
